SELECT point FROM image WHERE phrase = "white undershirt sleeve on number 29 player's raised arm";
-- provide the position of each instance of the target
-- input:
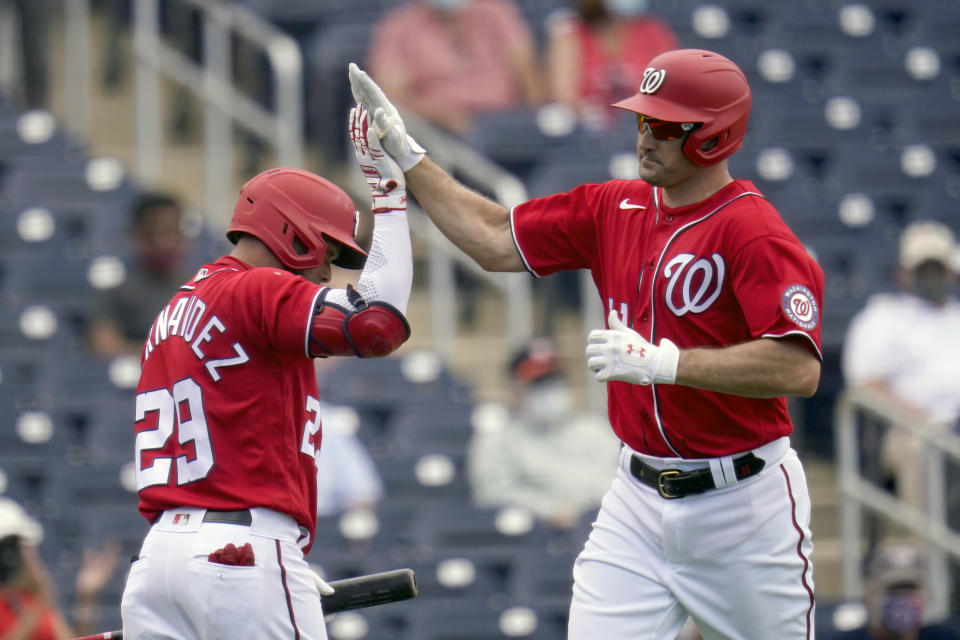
(388, 273)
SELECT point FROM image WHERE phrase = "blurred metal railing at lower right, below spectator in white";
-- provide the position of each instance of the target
(858, 493)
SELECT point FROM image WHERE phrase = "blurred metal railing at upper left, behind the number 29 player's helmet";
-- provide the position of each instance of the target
(225, 104)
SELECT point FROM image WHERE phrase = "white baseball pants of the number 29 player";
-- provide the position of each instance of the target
(174, 591)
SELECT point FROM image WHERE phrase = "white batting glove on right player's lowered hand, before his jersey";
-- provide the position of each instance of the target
(620, 353)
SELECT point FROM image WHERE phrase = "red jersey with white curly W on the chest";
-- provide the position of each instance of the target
(720, 272)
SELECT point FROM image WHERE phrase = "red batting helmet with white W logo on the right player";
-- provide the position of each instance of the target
(693, 85)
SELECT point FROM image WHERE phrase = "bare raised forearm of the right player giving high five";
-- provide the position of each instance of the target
(476, 225)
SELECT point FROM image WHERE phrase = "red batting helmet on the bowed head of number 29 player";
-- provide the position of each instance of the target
(294, 212)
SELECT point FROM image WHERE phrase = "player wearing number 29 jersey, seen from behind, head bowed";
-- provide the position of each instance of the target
(227, 414)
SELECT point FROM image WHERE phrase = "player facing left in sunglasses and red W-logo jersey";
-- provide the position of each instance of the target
(713, 319)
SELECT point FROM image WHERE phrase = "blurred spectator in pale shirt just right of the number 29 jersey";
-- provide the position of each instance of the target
(347, 477)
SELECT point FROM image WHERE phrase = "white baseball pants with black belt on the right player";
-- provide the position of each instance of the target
(736, 559)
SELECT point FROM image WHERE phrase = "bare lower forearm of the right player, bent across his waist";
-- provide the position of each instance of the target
(764, 368)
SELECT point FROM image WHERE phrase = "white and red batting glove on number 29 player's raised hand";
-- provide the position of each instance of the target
(383, 174)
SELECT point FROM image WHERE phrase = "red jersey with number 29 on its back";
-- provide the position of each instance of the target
(227, 414)
